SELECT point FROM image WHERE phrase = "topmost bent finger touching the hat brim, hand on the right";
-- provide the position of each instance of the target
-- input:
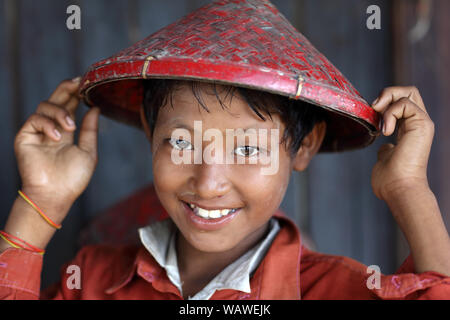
(392, 94)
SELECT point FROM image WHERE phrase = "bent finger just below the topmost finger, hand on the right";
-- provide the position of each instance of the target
(414, 117)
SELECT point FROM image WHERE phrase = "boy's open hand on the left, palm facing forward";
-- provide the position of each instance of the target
(55, 171)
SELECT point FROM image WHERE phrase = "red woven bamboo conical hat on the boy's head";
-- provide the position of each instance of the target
(246, 43)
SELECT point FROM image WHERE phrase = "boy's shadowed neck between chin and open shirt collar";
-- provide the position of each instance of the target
(197, 268)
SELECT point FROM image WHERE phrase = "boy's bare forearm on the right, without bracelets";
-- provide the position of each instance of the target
(417, 212)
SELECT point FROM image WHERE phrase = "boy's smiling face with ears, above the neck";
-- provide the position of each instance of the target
(219, 184)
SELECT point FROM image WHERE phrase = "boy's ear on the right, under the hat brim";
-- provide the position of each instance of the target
(310, 146)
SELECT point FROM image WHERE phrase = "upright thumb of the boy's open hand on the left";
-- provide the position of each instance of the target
(89, 132)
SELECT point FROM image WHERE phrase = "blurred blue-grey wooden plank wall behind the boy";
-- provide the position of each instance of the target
(332, 201)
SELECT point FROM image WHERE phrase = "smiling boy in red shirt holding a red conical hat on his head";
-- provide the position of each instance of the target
(225, 237)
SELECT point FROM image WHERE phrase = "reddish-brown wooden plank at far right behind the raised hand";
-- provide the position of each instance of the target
(424, 61)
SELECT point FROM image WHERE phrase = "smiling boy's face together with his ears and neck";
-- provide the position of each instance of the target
(207, 246)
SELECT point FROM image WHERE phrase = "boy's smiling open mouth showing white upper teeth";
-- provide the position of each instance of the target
(209, 219)
